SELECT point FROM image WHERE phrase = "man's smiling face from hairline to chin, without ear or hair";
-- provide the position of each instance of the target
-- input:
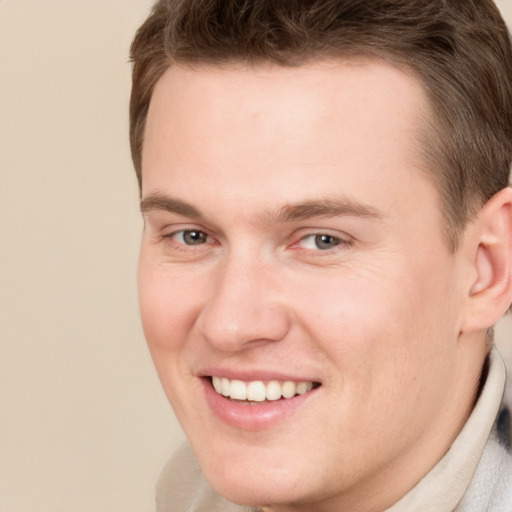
(293, 260)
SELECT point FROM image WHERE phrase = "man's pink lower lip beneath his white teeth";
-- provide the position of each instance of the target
(262, 415)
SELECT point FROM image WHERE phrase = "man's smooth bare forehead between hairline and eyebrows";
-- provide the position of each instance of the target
(266, 127)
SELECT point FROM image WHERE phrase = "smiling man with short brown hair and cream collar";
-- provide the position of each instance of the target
(327, 246)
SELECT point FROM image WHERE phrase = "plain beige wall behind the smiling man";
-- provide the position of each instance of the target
(84, 425)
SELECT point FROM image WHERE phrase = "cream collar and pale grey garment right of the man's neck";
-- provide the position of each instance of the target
(480, 447)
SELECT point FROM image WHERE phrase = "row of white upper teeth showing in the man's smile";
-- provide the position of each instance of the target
(258, 391)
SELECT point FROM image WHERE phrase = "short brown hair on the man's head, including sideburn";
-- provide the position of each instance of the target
(459, 49)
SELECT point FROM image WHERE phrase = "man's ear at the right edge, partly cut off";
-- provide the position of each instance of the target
(489, 245)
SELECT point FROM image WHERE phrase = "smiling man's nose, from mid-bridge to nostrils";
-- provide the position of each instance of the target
(243, 307)
